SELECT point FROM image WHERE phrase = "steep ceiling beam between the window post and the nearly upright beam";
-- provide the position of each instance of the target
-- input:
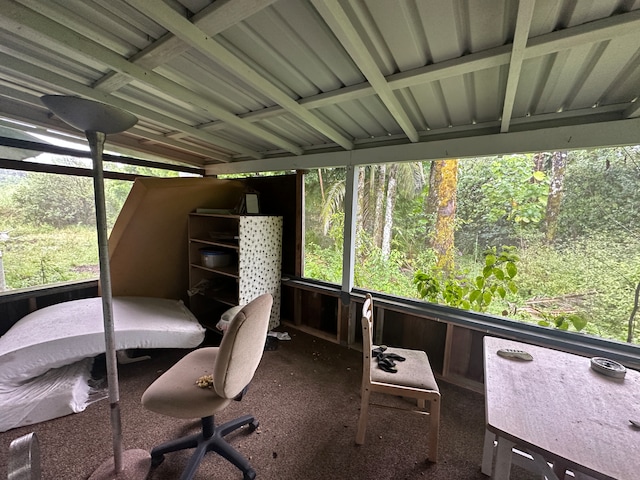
(339, 22)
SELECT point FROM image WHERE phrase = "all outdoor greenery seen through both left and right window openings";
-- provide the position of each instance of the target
(549, 238)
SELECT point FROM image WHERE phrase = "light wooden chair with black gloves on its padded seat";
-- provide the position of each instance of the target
(413, 378)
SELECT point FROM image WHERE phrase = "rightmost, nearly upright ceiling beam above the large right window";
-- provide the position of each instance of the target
(523, 25)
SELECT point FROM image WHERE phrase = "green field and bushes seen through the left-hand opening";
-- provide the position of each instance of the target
(48, 227)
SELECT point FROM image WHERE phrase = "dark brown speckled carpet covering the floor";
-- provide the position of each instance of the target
(306, 397)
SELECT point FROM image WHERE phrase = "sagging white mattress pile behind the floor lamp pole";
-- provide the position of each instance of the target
(46, 357)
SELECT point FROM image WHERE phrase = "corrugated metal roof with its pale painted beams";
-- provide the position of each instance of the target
(216, 83)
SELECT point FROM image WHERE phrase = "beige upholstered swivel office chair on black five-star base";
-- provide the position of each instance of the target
(232, 366)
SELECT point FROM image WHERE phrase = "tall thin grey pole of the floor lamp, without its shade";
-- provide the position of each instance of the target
(96, 143)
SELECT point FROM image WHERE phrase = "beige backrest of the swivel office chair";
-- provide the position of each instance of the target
(242, 347)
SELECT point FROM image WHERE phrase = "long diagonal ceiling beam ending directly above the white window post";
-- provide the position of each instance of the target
(182, 28)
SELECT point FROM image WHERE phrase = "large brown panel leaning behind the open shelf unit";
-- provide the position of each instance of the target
(148, 243)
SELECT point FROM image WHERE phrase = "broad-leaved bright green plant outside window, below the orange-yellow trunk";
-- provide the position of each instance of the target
(469, 292)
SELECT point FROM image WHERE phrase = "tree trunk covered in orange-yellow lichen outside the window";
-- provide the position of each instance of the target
(441, 205)
